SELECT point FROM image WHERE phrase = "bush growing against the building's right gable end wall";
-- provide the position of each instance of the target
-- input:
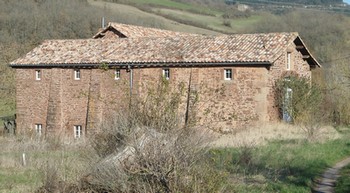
(300, 102)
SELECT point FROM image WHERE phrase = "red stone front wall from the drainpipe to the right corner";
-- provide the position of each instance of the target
(223, 105)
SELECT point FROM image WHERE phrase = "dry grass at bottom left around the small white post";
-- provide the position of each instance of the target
(42, 157)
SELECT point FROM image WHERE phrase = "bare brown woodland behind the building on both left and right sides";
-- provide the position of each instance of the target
(24, 24)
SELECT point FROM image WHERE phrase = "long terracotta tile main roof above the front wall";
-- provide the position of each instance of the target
(243, 48)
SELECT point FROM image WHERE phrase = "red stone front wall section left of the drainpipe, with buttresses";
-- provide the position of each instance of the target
(59, 102)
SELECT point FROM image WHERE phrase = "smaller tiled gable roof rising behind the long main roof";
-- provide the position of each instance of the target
(118, 30)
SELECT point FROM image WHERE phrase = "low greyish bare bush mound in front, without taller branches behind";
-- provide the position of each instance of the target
(156, 162)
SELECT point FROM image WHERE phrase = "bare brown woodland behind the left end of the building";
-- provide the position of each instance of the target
(25, 24)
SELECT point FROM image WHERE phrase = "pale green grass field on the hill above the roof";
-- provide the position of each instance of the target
(177, 16)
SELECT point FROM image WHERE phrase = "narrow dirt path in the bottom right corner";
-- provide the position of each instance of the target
(327, 181)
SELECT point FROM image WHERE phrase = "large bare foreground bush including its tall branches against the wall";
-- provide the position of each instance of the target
(147, 149)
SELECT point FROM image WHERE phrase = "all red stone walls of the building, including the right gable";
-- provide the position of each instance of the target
(59, 102)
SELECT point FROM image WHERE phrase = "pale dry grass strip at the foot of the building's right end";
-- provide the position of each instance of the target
(266, 132)
